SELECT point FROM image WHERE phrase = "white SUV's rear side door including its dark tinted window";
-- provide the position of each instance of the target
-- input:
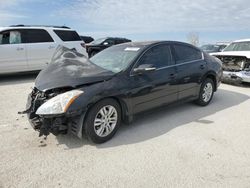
(40, 48)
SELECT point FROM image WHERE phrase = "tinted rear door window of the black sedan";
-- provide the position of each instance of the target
(186, 53)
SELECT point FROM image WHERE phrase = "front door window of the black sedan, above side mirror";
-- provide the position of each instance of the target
(158, 56)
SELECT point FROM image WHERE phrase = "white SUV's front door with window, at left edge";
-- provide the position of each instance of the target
(12, 52)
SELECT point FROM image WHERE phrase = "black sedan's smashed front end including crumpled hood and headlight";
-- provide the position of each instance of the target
(56, 105)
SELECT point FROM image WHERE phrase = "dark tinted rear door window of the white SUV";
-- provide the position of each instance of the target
(36, 36)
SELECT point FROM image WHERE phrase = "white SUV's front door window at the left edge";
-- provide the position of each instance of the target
(10, 37)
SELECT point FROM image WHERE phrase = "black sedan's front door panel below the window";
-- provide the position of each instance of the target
(153, 89)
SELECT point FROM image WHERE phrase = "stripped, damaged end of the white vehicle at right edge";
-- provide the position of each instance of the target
(235, 68)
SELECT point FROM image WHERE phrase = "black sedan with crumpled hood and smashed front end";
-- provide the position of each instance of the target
(93, 96)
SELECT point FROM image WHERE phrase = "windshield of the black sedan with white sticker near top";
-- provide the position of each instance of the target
(116, 58)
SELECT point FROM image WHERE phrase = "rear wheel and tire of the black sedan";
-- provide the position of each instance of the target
(206, 92)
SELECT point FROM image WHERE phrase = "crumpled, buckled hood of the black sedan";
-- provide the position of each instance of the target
(70, 69)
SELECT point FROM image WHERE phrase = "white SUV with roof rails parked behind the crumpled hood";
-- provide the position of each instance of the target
(30, 48)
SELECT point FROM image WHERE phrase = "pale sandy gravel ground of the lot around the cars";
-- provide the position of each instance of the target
(181, 146)
